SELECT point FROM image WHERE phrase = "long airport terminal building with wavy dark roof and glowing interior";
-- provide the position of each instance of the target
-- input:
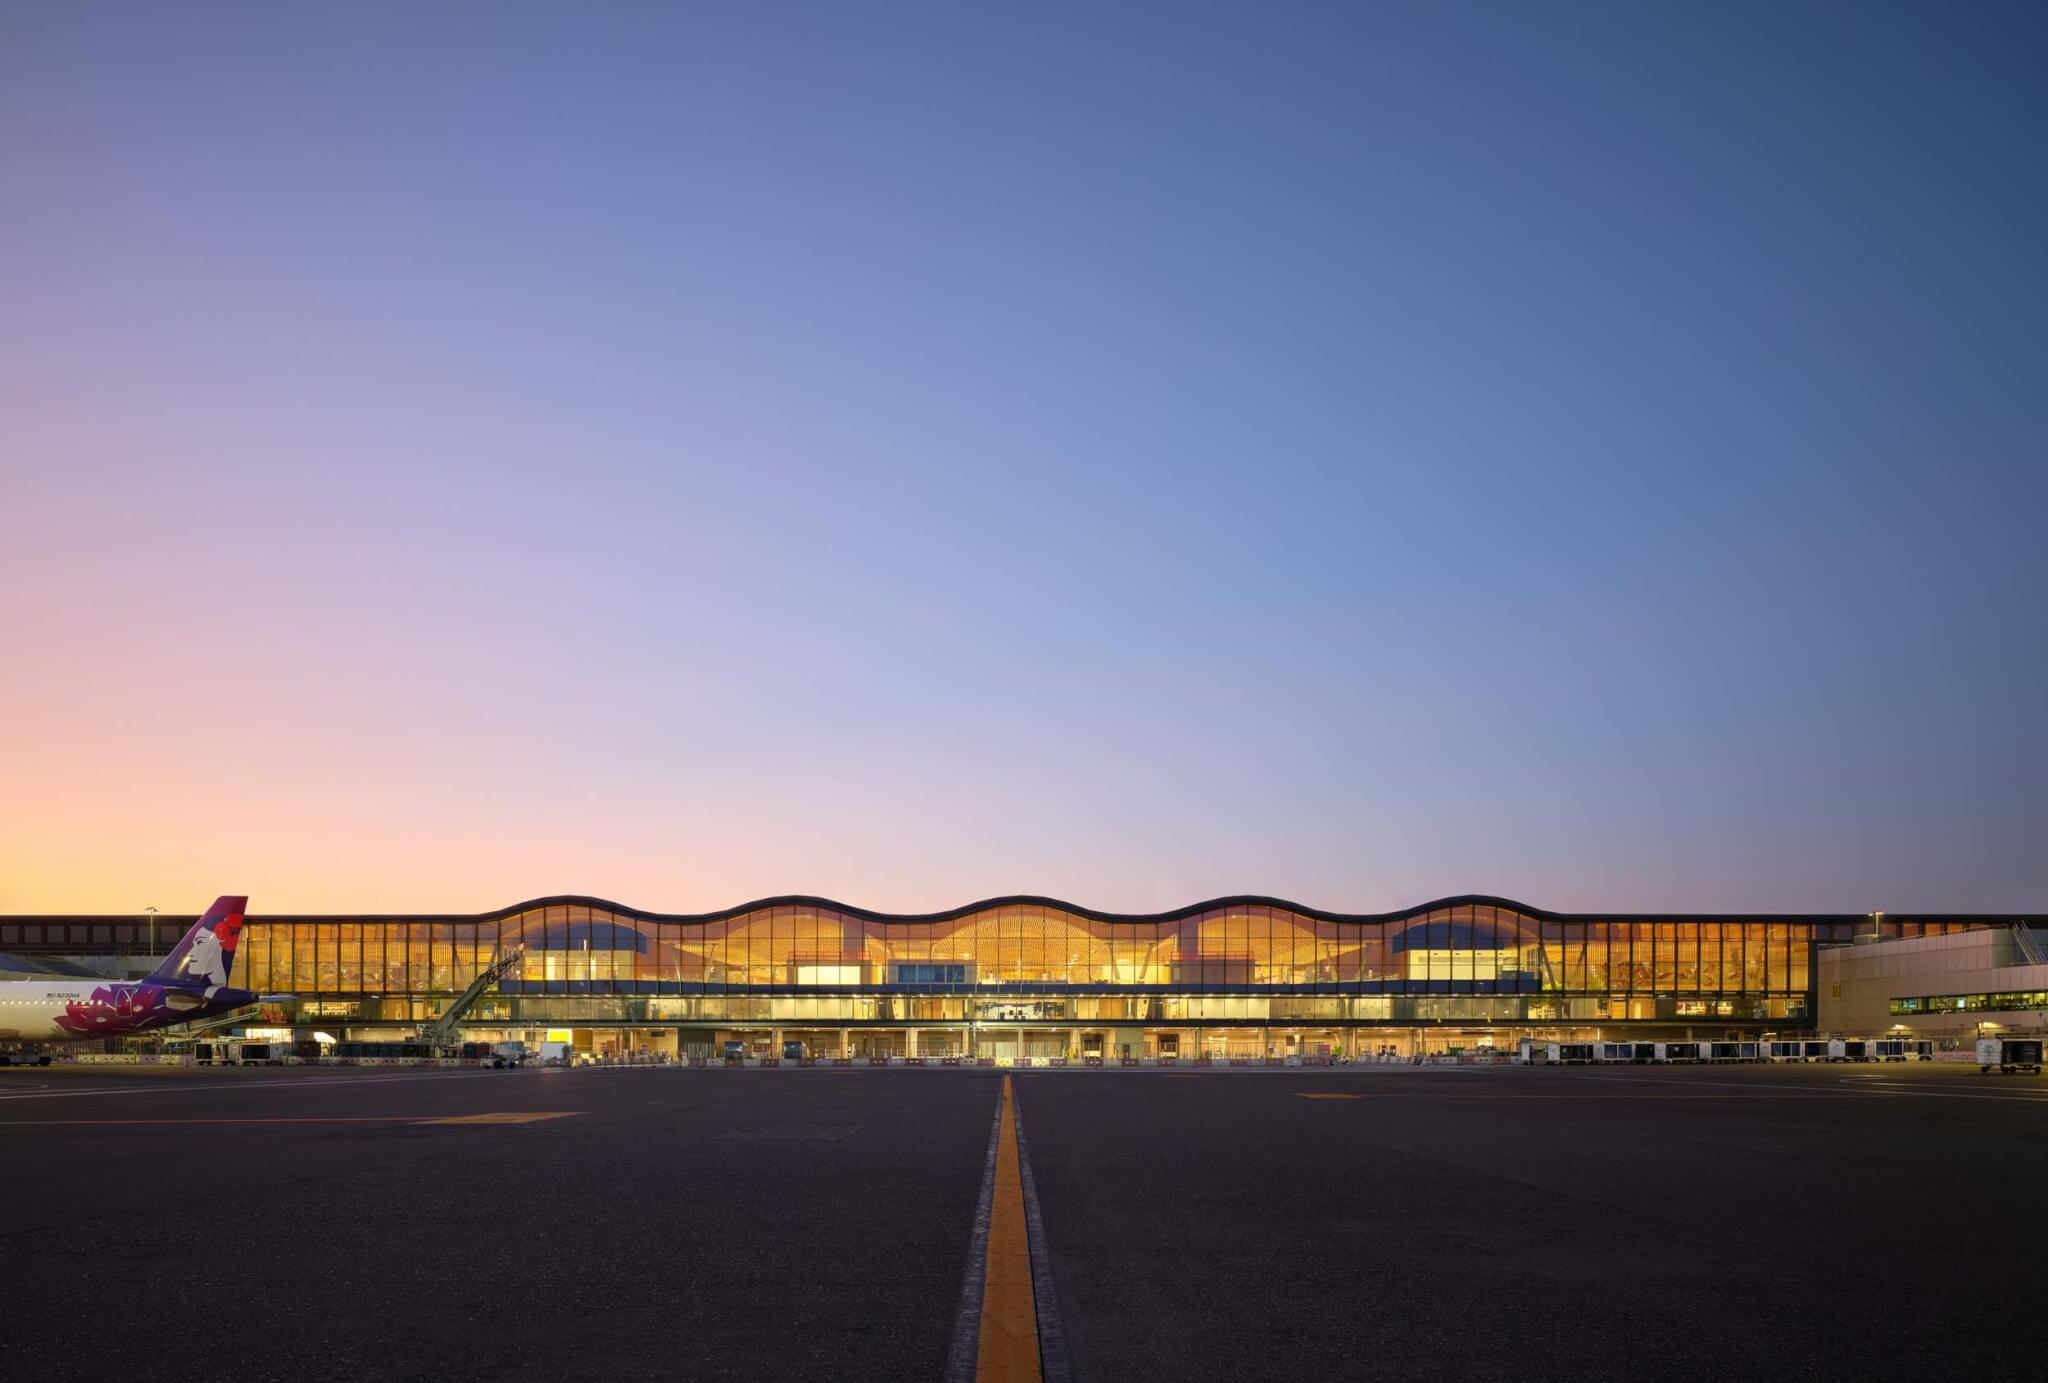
(1025, 976)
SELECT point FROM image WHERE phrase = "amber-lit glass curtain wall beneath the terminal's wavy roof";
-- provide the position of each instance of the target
(1031, 964)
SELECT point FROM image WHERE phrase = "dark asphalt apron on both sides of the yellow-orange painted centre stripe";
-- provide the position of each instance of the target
(816, 1224)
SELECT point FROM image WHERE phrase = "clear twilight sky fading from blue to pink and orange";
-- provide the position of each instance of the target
(1594, 454)
